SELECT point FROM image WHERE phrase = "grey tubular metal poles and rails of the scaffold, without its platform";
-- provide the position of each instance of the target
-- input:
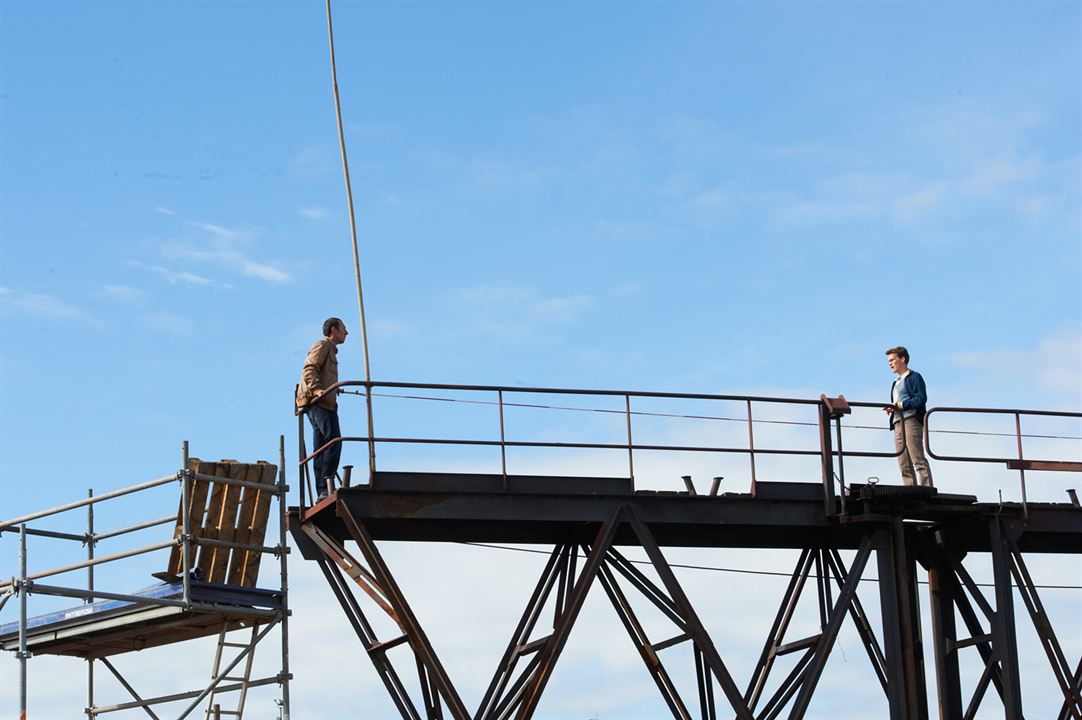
(188, 541)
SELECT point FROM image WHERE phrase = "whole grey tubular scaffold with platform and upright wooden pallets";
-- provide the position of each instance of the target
(207, 590)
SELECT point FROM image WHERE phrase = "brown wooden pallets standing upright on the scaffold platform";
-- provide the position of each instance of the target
(226, 513)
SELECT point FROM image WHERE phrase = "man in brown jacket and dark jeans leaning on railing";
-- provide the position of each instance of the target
(321, 373)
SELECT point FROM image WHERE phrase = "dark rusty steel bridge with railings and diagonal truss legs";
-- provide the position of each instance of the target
(902, 531)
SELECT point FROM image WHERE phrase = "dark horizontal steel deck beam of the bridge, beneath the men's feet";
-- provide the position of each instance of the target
(545, 510)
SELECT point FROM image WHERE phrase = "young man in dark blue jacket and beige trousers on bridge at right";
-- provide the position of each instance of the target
(909, 399)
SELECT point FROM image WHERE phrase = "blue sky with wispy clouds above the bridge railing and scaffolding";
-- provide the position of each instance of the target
(702, 198)
